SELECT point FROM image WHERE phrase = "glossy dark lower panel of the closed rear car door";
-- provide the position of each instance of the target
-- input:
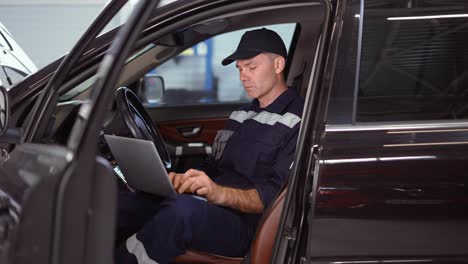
(391, 193)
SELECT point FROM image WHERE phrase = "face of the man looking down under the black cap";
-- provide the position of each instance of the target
(257, 75)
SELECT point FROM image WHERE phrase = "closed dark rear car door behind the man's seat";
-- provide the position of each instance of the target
(386, 181)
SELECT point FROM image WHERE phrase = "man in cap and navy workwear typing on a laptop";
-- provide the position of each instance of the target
(251, 161)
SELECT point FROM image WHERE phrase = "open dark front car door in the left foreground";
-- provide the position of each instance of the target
(58, 202)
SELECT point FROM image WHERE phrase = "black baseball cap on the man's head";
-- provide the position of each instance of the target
(257, 41)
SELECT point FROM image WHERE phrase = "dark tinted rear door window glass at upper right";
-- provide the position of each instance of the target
(414, 63)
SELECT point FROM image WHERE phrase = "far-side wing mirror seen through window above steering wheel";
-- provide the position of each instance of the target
(151, 89)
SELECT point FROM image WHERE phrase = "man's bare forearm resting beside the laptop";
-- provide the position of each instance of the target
(247, 201)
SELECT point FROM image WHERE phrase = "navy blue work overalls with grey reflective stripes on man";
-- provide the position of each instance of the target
(255, 150)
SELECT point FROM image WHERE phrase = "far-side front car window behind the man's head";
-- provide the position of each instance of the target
(196, 75)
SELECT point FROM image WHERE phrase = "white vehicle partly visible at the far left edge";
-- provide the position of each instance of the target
(15, 63)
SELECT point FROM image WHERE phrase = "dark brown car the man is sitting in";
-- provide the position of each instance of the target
(380, 169)
